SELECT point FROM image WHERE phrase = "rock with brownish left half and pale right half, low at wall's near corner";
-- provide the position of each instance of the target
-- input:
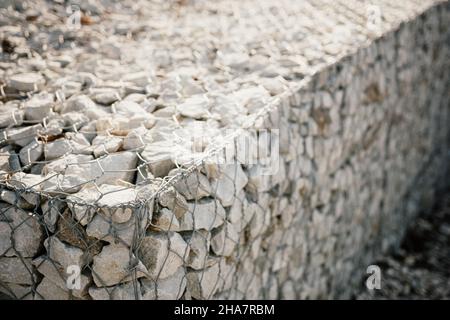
(163, 254)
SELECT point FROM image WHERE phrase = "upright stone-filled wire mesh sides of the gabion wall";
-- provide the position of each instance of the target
(363, 144)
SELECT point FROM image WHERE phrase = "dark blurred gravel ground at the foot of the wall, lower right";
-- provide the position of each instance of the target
(420, 269)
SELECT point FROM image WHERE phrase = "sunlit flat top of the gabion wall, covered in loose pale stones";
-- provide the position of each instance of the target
(99, 98)
